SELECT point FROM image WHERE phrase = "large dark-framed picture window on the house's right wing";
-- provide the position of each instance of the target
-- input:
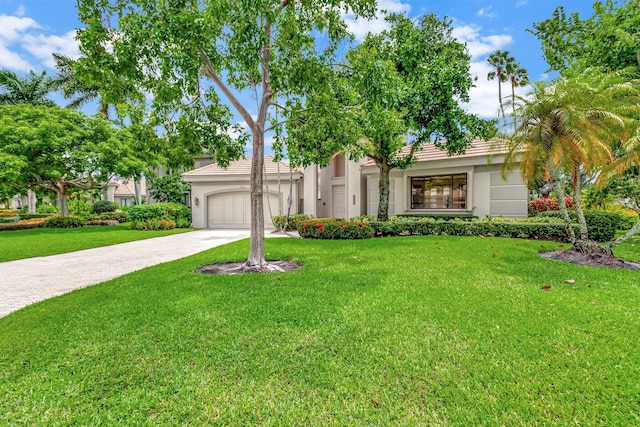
(439, 192)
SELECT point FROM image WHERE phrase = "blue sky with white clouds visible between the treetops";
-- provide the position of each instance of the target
(31, 30)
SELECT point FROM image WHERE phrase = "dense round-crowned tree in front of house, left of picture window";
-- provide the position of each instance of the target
(399, 88)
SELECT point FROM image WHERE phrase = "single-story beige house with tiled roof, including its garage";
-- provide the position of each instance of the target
(462, 185)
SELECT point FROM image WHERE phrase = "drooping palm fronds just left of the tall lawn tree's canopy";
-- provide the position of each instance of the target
(71, 87)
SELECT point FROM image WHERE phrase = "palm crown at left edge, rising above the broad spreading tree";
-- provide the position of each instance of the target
(31, 89)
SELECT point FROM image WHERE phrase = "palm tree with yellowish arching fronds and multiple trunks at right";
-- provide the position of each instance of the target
(564, 132)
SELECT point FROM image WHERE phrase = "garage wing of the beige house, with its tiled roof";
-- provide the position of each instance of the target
(220, 198)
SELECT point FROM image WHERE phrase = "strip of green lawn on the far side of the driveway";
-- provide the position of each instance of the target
(19, 244)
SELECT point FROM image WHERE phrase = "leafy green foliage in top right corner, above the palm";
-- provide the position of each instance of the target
(608, 39)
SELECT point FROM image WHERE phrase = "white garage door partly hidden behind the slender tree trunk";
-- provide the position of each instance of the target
(233, 210)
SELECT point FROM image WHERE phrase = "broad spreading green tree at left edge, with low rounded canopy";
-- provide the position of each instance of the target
(60, 149)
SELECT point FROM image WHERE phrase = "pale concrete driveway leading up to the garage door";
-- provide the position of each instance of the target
(26, 281)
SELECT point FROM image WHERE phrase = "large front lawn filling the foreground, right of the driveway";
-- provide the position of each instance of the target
(393, 331)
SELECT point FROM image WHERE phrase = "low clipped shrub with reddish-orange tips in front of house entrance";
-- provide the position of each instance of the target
(333, 228)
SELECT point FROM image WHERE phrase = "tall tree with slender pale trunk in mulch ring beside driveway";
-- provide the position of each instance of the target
(262, 47)
